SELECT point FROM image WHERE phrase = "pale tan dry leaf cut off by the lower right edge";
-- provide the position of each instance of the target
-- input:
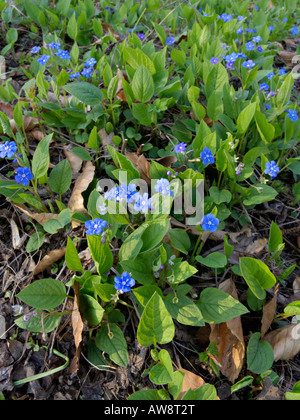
(285, 341)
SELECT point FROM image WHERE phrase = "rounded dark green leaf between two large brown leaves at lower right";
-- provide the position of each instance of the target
(260, 354)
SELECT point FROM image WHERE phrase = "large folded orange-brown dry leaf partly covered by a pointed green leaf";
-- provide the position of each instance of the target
(229, 339)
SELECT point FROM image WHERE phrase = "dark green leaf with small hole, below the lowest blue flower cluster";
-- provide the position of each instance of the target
(115, 347)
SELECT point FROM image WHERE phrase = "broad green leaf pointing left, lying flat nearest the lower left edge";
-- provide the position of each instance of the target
(45, 294)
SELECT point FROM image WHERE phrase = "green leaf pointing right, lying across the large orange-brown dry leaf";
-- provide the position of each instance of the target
(217, 306)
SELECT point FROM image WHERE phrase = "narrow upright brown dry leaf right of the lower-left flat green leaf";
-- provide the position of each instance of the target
(77, 325)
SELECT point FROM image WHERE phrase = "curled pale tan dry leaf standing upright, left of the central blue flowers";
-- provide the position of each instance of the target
(76, 203)
